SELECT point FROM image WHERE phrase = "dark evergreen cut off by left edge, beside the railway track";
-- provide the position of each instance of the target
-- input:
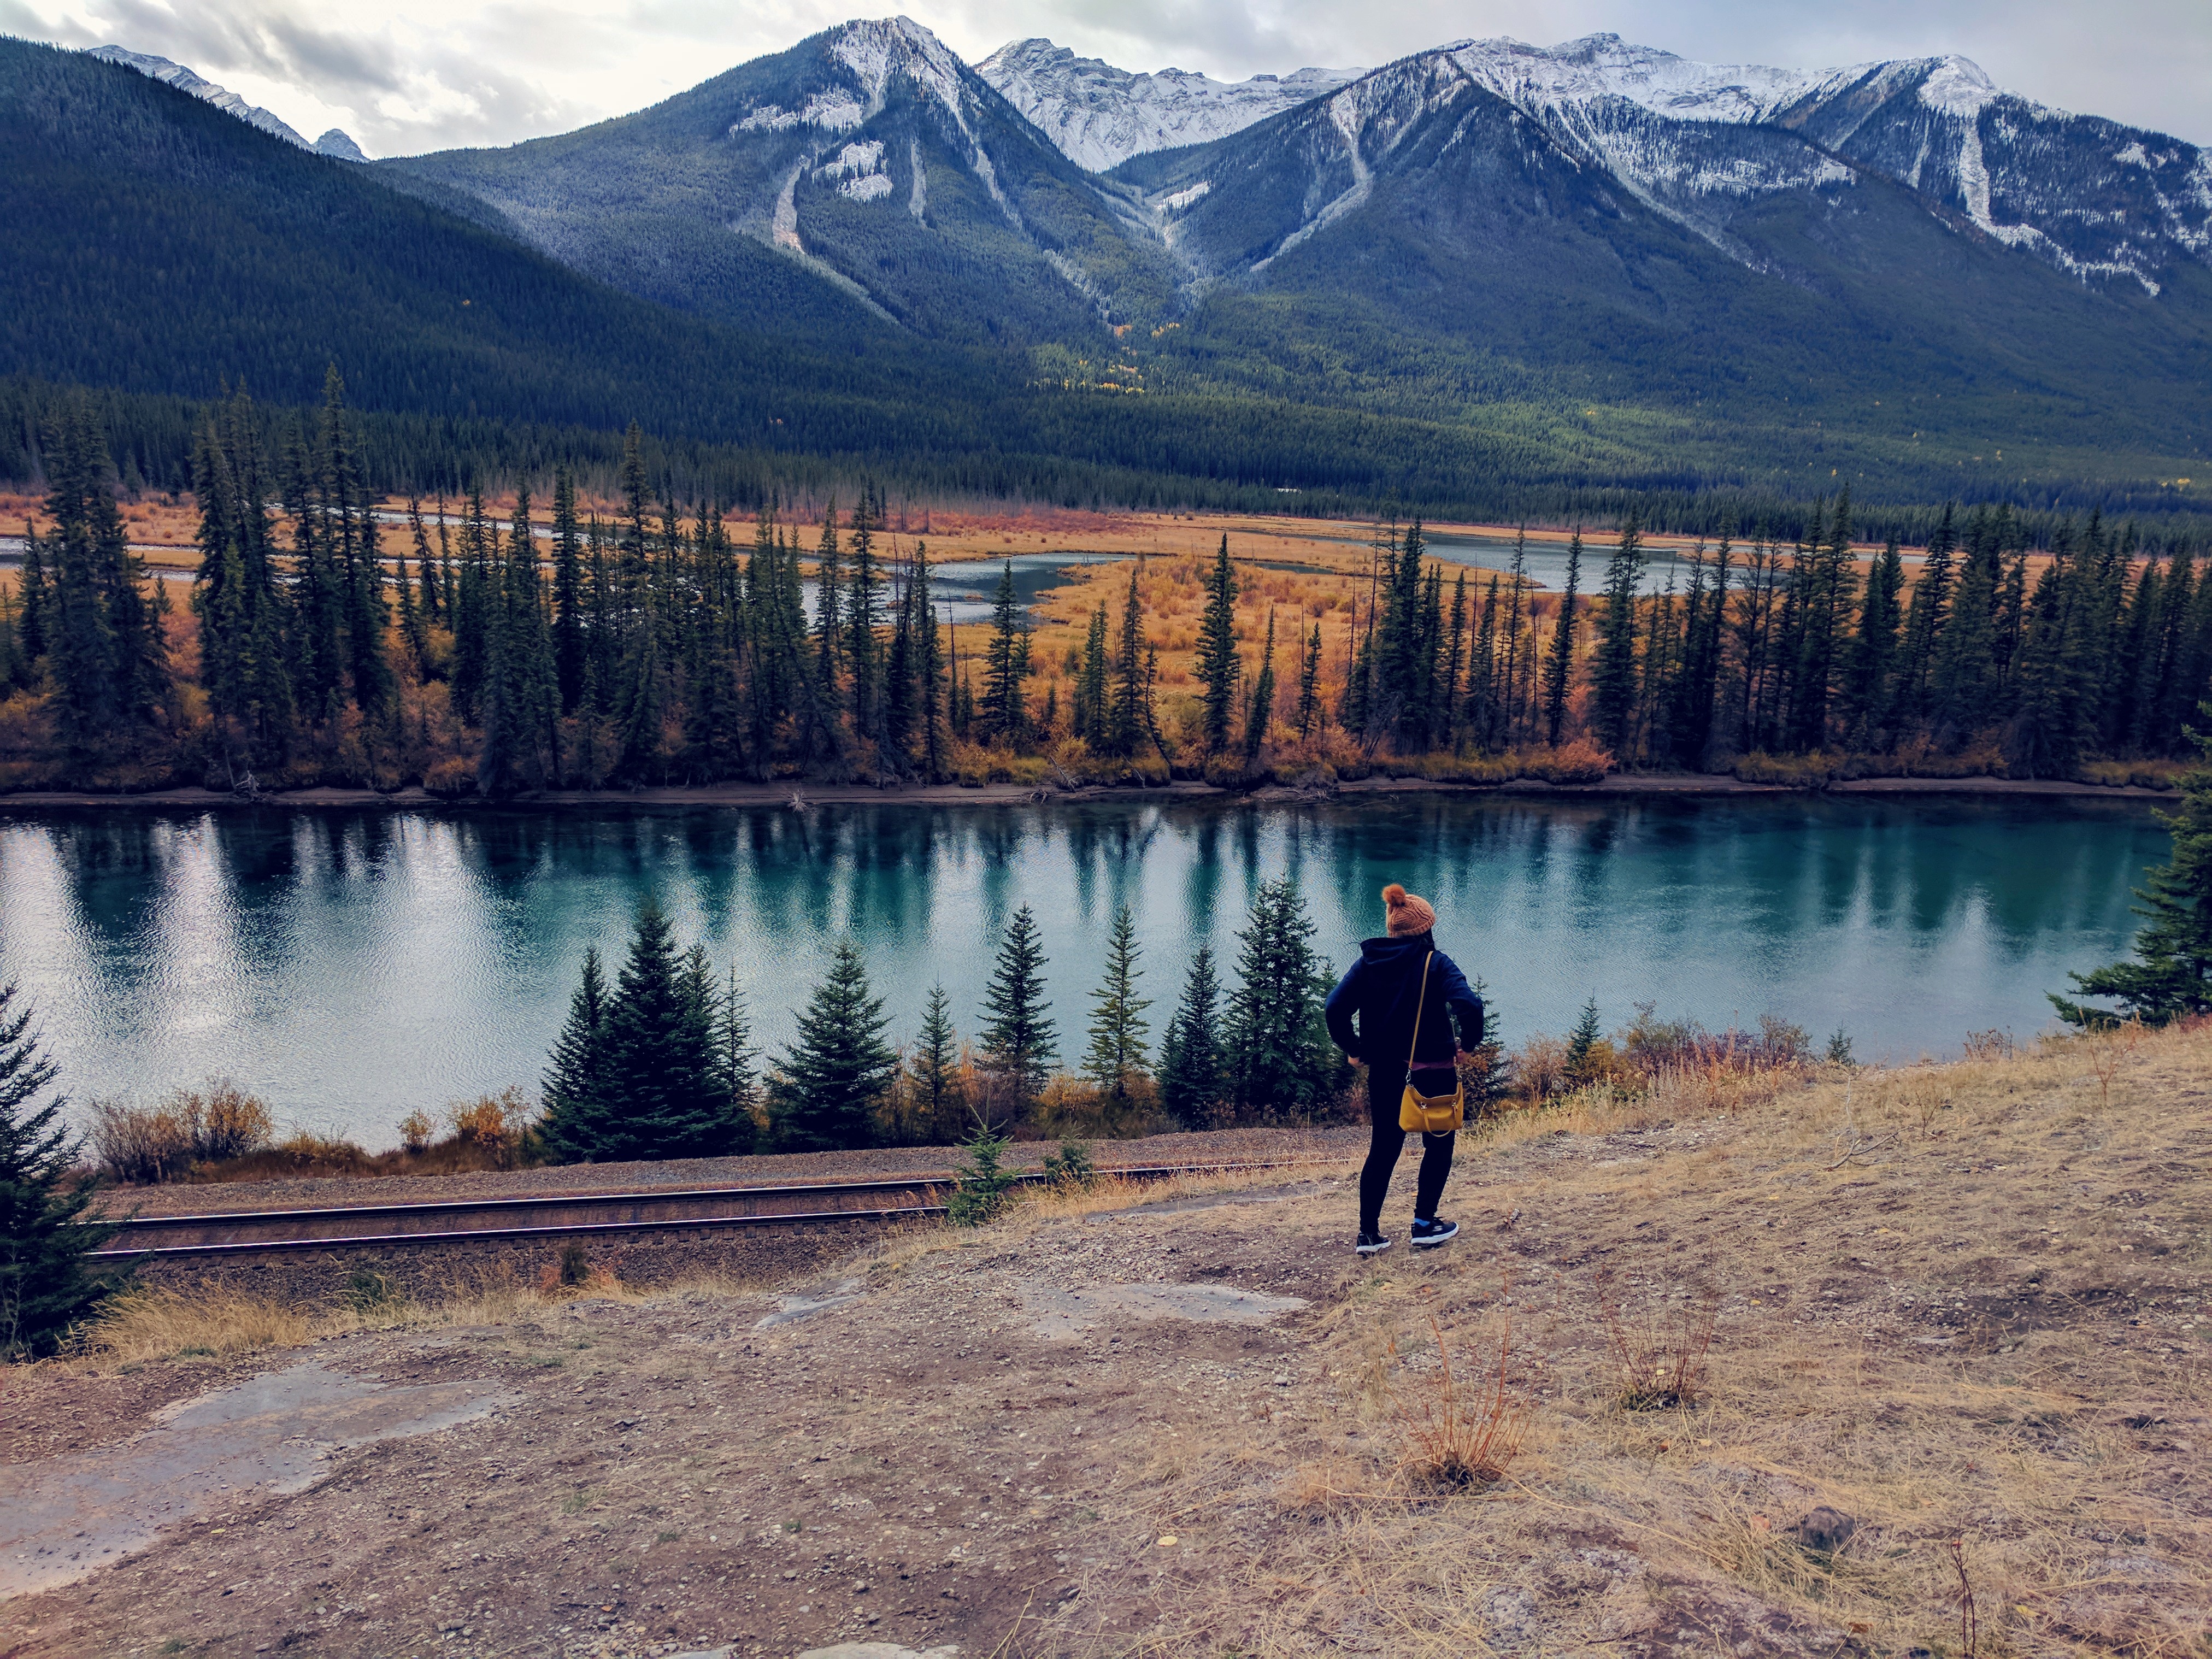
(48, 1286)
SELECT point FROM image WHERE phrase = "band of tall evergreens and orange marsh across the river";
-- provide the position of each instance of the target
(488, 649)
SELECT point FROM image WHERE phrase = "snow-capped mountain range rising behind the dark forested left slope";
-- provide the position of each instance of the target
(1598, 255)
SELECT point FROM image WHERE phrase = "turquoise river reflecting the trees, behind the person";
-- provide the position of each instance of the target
(353, 966)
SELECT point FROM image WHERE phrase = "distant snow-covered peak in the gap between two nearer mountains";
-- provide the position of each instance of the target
(1100, 116)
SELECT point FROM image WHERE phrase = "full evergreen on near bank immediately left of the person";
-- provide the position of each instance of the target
(1277, 1045)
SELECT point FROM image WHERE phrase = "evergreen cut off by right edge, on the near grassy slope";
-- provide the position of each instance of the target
(2173, 972)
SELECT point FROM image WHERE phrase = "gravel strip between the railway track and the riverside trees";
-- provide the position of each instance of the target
(870, 1165)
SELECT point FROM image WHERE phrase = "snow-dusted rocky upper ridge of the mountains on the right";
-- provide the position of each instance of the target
(1698, 140)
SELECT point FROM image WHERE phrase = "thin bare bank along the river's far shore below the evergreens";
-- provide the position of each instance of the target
(824, 795)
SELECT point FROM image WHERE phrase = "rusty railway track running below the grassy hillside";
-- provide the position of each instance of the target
(247, 1233)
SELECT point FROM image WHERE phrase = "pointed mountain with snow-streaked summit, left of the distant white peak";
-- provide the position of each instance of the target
(866, 174)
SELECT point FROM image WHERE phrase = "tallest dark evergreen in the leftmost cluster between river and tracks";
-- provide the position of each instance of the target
(662, 1096)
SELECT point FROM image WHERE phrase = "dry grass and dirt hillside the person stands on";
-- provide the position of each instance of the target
(1961, 1306)
